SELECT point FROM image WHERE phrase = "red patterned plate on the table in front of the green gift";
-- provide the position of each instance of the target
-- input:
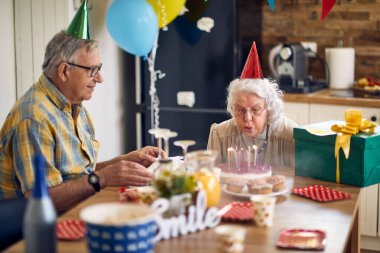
(320, 193)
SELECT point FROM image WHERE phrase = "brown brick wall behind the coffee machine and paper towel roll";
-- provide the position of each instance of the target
(355, 22)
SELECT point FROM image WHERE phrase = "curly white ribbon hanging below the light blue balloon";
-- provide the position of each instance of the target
(155, 102)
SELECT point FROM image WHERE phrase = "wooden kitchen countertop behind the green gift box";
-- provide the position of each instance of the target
(334, 97)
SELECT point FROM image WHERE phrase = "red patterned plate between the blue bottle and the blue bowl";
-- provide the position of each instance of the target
(70, 229)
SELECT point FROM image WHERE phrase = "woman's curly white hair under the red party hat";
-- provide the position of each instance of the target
(264, 88)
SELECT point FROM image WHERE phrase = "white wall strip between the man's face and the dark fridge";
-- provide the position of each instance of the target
(105, 106)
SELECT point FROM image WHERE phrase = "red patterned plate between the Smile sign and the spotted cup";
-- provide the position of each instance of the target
(237, 212)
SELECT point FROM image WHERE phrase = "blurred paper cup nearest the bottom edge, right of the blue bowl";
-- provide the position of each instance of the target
(231, 238)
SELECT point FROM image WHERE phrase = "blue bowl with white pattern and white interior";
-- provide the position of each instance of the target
(120, 228)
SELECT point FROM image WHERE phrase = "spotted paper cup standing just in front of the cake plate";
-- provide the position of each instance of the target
(263, 210)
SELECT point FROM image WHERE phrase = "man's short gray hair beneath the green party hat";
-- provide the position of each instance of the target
(63, 47)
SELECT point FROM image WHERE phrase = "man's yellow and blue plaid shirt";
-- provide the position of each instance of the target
(43, 121)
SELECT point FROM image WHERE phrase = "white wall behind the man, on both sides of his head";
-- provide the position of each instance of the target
(22, 44)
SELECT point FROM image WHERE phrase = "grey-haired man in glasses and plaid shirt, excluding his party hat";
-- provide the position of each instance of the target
(51, 120)
